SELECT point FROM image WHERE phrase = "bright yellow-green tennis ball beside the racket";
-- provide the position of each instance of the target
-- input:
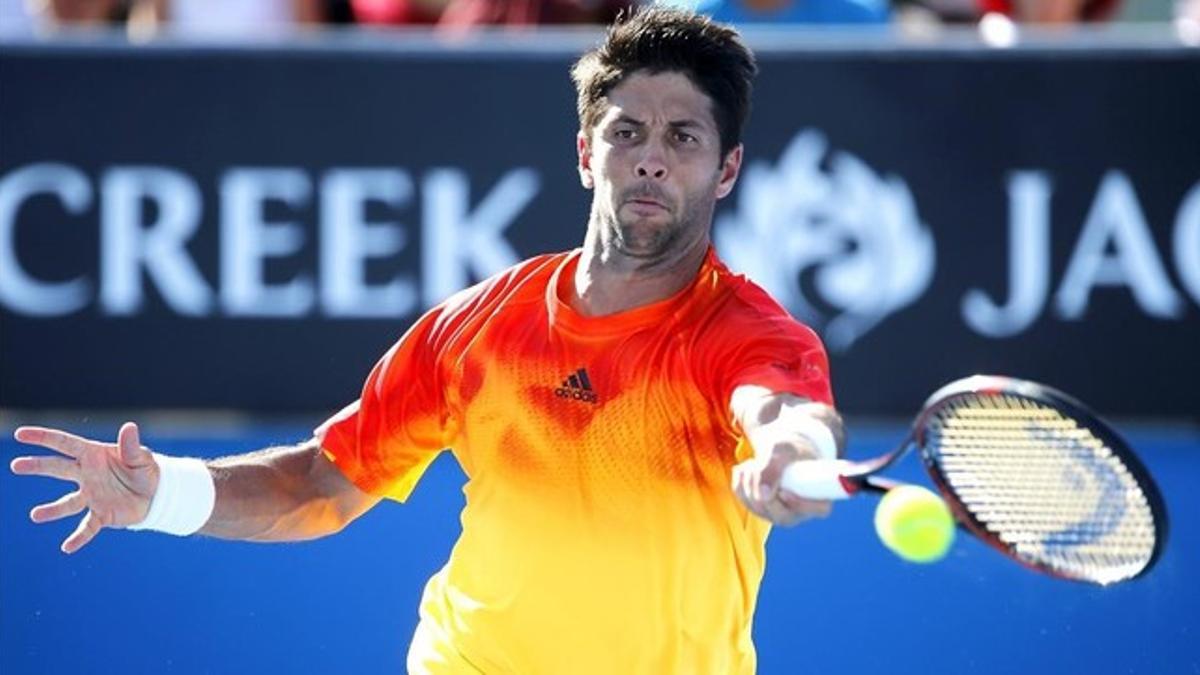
(915, 523)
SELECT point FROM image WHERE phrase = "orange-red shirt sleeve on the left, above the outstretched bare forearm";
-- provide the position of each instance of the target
(385, 441)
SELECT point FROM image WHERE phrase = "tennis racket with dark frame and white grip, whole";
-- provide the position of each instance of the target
(1027, 469)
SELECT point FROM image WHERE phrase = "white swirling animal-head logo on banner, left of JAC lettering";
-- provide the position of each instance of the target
(838, 244)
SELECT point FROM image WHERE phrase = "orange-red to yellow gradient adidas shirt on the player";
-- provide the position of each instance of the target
(601, 534)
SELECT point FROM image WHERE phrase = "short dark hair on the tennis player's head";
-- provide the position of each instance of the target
(667, 40)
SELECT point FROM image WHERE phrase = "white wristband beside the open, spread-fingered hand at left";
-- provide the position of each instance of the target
(184, 500)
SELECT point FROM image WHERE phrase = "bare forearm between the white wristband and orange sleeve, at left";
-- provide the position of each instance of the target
(283, 495)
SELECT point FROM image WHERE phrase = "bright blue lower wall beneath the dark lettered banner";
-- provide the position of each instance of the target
(835, 601)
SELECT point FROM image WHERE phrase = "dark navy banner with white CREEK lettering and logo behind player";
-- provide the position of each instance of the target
(251, 229)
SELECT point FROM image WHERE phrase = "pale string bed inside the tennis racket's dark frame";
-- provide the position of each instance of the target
(1048, 489)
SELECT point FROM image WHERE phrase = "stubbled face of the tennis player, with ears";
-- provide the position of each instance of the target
(655, 165)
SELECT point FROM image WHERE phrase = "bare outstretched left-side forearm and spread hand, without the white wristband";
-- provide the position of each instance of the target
(274, 495)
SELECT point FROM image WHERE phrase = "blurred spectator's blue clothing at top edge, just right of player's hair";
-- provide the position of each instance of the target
(742, 13)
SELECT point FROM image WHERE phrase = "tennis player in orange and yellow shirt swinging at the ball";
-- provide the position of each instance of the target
(602, 403)
